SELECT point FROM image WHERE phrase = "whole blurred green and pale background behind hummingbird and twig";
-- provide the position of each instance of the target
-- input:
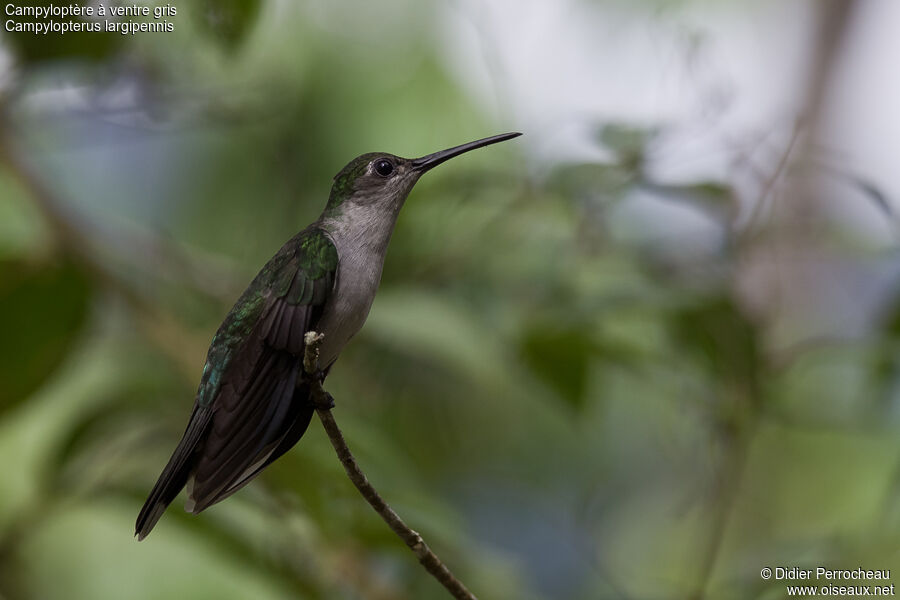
(639, 353)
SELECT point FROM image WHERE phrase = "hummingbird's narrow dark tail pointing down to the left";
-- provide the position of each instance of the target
(174, 475)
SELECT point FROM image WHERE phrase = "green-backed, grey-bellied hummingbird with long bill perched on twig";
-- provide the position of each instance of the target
(253, 403)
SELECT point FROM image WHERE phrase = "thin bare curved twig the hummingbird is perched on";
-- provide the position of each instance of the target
(324, 403)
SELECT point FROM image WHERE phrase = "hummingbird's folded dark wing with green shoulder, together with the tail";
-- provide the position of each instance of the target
(246, 403)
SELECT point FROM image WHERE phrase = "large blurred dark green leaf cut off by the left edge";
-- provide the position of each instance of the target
(42, 311)
